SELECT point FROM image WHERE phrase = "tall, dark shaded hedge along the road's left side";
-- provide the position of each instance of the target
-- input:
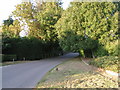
(30, 48)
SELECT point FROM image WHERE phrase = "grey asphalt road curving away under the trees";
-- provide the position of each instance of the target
(27, 75)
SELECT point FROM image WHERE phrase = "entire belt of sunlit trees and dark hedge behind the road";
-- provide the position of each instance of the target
(88, 27)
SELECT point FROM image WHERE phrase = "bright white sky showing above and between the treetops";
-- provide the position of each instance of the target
(7, 6)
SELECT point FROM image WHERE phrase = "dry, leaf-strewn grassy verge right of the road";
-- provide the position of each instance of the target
(75, 74)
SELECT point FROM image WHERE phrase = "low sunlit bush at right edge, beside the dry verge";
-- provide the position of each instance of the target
(106, 62)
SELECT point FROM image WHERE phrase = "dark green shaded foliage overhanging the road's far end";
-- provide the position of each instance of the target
(83, 44)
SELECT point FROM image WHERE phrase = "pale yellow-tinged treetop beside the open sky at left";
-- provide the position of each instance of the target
(25, 13)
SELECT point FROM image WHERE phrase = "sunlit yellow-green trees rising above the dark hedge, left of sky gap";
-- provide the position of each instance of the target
(40, 19)
